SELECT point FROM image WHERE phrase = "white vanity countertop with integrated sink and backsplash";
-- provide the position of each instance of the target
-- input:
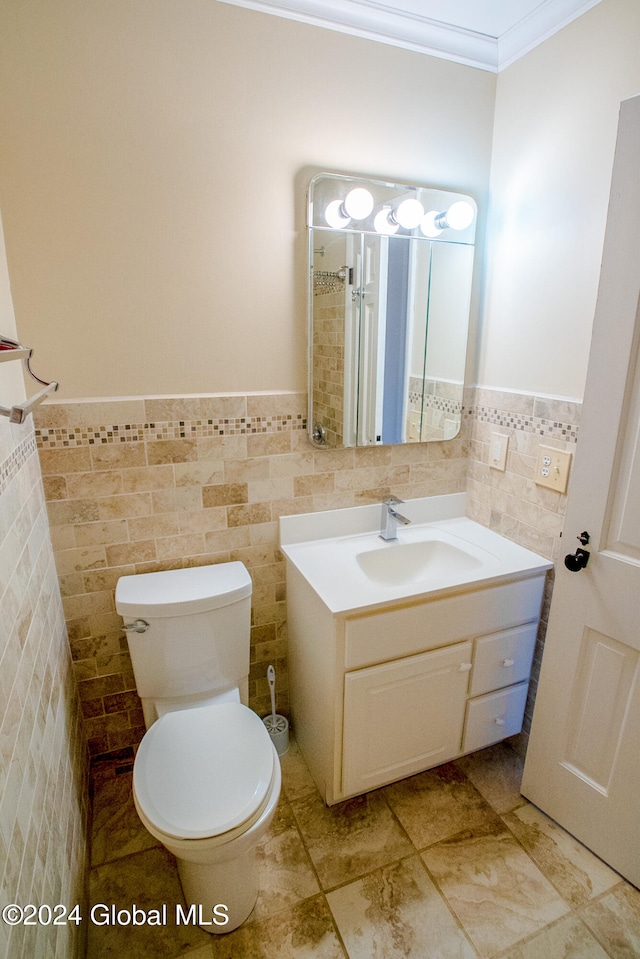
(341, 555)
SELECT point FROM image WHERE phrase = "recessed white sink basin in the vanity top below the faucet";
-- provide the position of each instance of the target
(398, 563)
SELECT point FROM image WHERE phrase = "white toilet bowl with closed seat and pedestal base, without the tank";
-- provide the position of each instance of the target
(206, 784)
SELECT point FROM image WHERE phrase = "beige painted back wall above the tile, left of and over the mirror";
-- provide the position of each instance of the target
(153, 174)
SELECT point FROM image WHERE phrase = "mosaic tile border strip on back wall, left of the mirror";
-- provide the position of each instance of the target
(71, 437)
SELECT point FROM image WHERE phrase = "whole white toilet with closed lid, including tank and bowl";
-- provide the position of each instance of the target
(206, 778)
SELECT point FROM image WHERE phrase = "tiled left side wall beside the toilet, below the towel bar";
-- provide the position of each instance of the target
(43, 756)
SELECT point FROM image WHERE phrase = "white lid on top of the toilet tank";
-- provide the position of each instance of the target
(176, 592)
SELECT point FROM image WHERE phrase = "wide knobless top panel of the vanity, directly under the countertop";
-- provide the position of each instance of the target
(380, 636)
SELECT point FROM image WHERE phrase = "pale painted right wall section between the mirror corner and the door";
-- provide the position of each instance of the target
(555, 129)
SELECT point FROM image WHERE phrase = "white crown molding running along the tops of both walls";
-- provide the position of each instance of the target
(377, 21)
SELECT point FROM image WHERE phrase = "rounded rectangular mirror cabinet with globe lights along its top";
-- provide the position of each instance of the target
(390, 271)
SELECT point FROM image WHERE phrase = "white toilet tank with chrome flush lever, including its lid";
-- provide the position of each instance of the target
(199, 621)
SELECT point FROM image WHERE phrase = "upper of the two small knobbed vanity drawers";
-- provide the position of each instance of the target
(502, 659)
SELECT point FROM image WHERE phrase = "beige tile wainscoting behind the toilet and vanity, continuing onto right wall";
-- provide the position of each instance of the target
(142, 484)
